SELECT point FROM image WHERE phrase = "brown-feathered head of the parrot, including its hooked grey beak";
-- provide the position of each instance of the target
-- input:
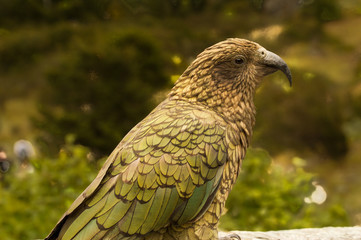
(231, 68)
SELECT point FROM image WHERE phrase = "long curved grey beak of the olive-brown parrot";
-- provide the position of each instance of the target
(274, 62)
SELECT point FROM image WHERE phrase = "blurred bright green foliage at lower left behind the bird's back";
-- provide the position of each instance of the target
(33, 199)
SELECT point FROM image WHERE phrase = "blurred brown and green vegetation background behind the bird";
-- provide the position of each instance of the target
(76, 75)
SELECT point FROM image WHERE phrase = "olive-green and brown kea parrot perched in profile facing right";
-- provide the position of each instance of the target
(170, 176)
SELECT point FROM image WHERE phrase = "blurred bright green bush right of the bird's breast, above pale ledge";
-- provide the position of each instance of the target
(268, 196)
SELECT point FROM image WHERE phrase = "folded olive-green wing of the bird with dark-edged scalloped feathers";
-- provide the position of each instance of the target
(164, 171)
